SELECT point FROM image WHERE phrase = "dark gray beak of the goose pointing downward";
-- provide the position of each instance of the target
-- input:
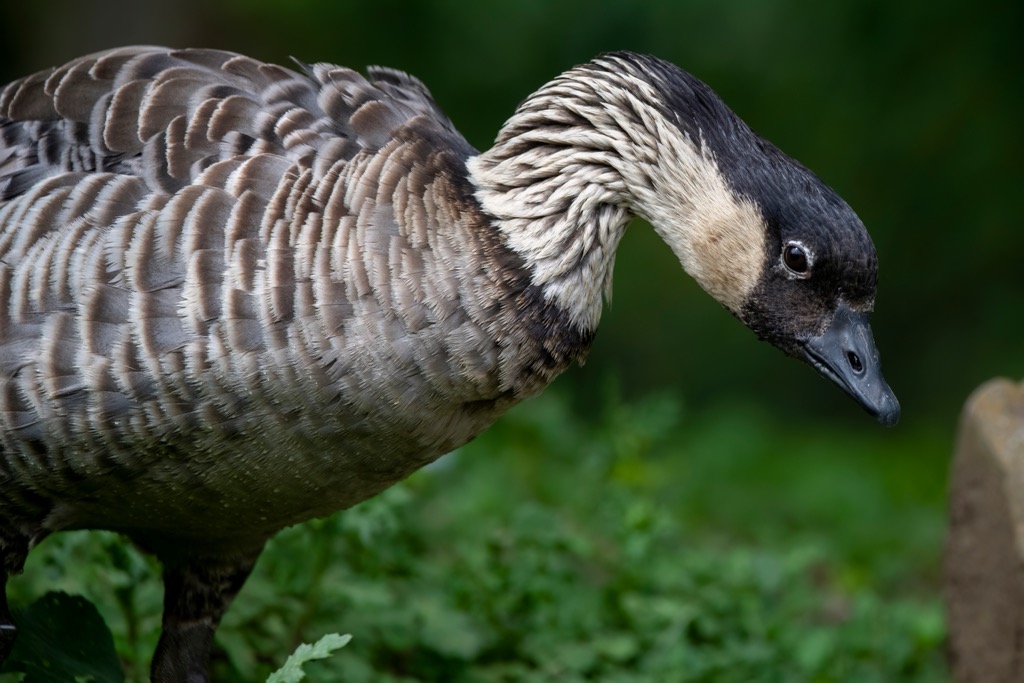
(845, 354)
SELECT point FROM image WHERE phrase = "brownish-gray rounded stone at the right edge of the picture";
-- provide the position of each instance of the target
(985, 556)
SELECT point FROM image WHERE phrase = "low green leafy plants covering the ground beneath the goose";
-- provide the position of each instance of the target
(649, 544)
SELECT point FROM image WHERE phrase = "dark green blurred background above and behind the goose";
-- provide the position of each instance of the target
(912, 111)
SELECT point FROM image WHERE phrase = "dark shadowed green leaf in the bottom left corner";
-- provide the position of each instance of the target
(63, 638)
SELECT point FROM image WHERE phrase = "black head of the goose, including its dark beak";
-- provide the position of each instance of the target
(818, 285)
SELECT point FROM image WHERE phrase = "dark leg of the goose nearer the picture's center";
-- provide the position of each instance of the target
(197, 593)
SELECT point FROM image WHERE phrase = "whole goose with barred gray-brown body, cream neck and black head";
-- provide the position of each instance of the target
(236, 296)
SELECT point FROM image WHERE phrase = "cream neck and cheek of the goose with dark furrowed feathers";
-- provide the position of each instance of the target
(579, 160)
